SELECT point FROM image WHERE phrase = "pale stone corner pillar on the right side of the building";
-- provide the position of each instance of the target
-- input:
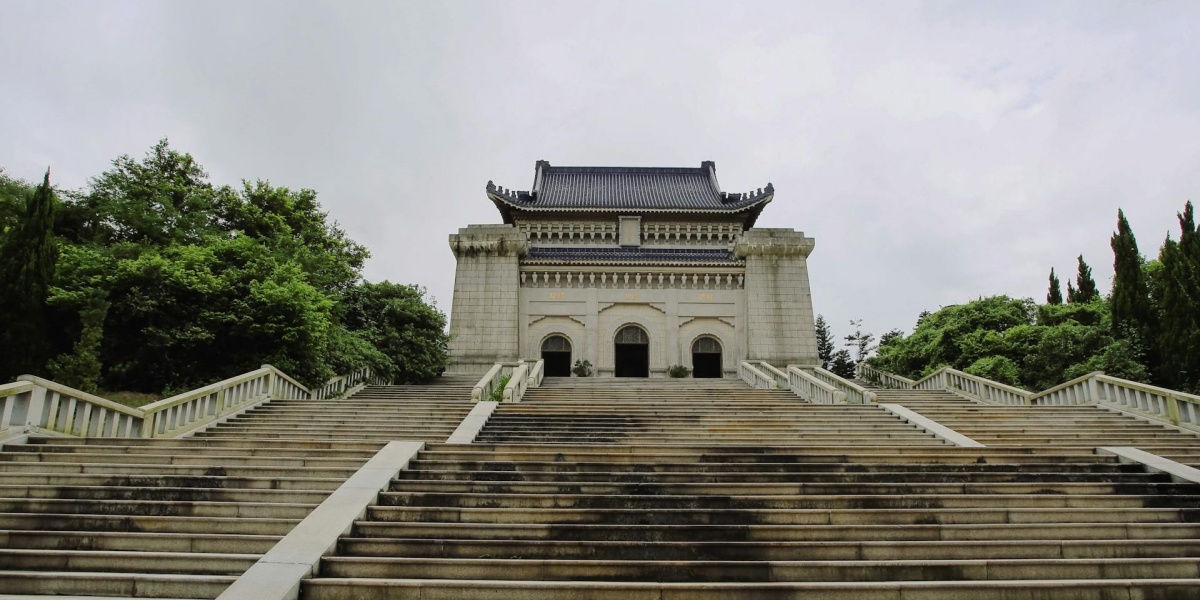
(779, 304)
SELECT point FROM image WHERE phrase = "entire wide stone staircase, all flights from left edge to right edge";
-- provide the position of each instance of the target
(614, 489)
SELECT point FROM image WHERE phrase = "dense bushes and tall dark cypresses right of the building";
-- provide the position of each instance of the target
(1148, 329)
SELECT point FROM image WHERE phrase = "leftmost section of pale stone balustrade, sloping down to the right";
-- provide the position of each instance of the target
(39, 405)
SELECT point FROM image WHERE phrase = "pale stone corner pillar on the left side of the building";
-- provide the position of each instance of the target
(484, 317)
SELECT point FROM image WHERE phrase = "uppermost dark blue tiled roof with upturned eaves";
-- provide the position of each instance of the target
(631, 189)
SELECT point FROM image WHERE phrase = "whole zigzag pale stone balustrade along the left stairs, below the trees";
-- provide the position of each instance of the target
(37, 405)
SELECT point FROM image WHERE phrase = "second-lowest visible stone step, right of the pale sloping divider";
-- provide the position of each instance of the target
(758, 572)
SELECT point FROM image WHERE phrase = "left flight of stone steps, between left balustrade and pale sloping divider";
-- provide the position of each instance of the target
(184, 518)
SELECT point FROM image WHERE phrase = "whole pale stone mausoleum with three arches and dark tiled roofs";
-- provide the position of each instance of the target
(633, 271)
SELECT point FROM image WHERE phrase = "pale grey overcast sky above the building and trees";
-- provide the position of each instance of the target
(938, 152)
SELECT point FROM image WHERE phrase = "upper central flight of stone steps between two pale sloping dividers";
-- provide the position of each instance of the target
(689, 412)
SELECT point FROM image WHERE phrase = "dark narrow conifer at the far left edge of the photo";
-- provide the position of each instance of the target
(28, 253)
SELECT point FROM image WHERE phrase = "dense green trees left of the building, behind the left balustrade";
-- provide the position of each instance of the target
(165, 281)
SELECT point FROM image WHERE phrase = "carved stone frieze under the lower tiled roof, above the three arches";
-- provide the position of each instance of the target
(632, 280)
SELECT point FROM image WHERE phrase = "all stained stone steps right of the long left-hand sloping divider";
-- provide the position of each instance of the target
(613, 490)
